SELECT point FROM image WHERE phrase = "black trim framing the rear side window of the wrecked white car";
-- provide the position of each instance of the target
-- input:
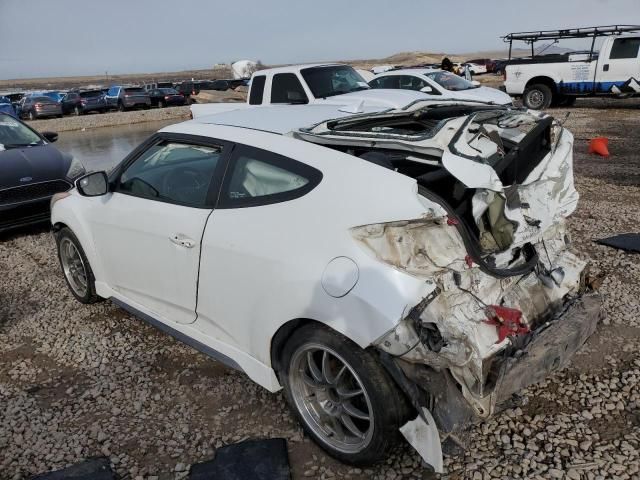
(287, 163)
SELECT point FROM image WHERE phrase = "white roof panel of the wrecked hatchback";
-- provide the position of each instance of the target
(279, 119)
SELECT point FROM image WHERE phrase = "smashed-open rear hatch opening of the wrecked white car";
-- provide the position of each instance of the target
(439, 147)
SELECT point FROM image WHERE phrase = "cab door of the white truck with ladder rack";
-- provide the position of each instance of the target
(619, 66)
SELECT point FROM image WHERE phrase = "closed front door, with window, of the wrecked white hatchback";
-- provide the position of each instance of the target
(148, 230)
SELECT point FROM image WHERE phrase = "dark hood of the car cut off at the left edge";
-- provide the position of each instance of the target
(21, 166)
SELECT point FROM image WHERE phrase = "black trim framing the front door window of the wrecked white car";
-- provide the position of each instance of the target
(216, 182)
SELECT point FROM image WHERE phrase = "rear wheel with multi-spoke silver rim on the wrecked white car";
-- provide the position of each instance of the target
(351, 369)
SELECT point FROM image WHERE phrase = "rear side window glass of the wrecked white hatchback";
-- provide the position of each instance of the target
(258, 177)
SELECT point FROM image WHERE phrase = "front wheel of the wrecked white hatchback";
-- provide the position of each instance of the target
(75, 267)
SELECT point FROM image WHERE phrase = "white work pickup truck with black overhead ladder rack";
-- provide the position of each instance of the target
(558, 79)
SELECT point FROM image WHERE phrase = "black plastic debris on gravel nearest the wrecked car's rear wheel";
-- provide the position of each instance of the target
(249, 460)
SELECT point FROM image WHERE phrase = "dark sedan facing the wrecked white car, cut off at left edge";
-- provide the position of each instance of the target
(31, 172)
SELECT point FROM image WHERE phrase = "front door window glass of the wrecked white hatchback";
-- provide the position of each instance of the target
(172, 172)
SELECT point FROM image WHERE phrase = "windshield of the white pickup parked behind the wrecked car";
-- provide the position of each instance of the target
(329, 81)
